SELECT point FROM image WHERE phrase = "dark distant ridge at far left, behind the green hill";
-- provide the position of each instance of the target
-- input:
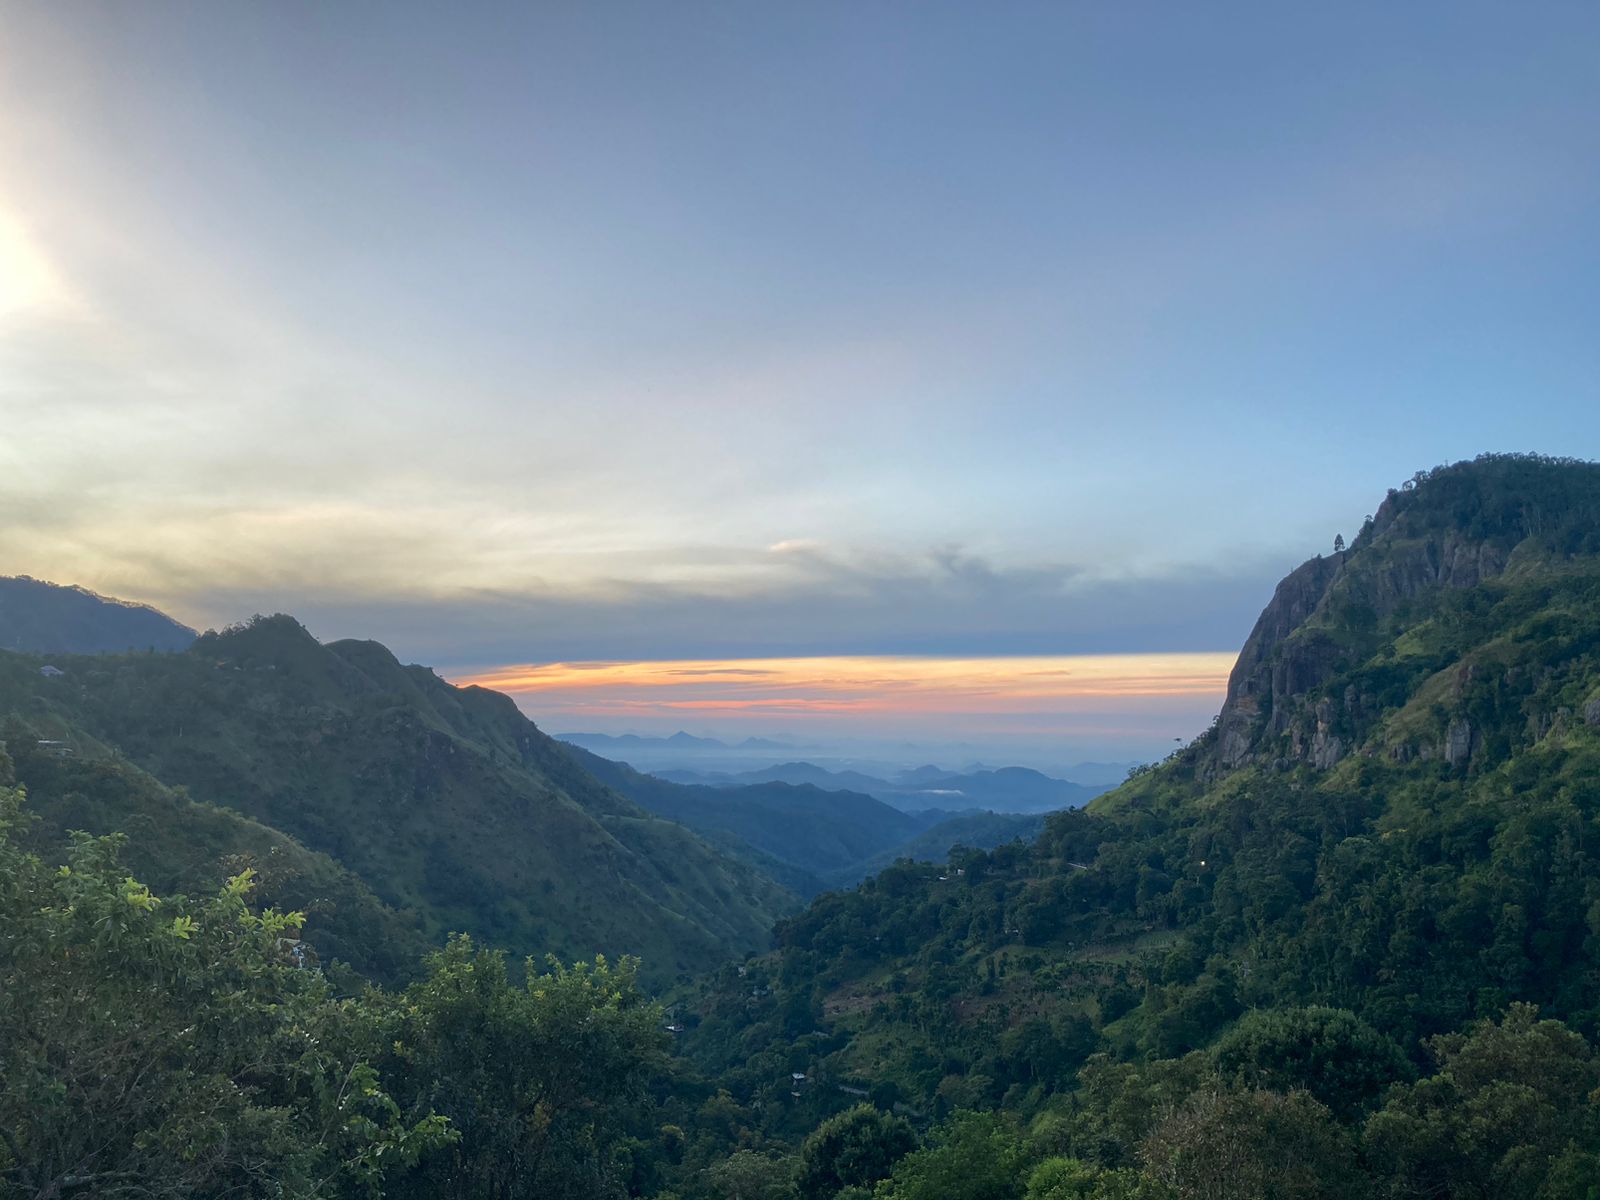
(44, 618)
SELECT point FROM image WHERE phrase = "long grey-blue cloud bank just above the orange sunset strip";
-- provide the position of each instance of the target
(834, 604)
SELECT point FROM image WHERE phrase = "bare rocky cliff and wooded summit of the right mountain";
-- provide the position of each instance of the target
(1295, 695)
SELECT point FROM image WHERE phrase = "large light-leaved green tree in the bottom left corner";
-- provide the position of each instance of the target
(169, 1049)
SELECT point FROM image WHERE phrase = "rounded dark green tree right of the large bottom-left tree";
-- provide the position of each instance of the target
(542, 1081)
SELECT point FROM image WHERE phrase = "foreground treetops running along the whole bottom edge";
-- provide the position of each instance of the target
(172, 1049)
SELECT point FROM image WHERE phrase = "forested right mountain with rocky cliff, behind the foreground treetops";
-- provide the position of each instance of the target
(1396, 815)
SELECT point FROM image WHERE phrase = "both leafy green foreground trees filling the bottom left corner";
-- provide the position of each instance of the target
(164, 1047)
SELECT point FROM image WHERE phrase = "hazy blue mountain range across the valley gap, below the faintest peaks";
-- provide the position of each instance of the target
(1009, 790)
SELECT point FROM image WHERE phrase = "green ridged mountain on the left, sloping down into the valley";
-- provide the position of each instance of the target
(447, 802)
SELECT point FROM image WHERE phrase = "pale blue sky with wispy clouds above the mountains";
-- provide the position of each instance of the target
(631, 334)
